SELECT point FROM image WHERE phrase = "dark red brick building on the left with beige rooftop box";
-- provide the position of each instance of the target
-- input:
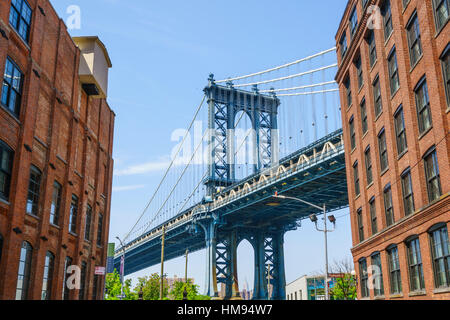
(56, 137)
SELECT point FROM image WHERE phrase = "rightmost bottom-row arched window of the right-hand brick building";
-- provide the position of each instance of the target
(440, 249)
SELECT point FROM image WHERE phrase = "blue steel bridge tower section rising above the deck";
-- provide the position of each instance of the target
(224, 103)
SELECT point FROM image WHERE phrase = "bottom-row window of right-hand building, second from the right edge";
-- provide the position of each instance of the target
(416, 281)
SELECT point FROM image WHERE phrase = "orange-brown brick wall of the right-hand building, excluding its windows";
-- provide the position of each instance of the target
(433, 44)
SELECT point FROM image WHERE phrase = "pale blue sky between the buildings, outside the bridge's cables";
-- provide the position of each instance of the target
(162, 53)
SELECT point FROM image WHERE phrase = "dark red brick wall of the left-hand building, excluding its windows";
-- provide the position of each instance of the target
(67, 130)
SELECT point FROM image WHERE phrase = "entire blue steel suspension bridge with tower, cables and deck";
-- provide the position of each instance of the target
(277, 130)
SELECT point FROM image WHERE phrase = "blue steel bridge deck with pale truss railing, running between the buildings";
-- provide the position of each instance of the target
(315, 173)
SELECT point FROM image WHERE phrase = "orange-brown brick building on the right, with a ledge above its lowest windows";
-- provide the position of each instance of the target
(395, 91)
